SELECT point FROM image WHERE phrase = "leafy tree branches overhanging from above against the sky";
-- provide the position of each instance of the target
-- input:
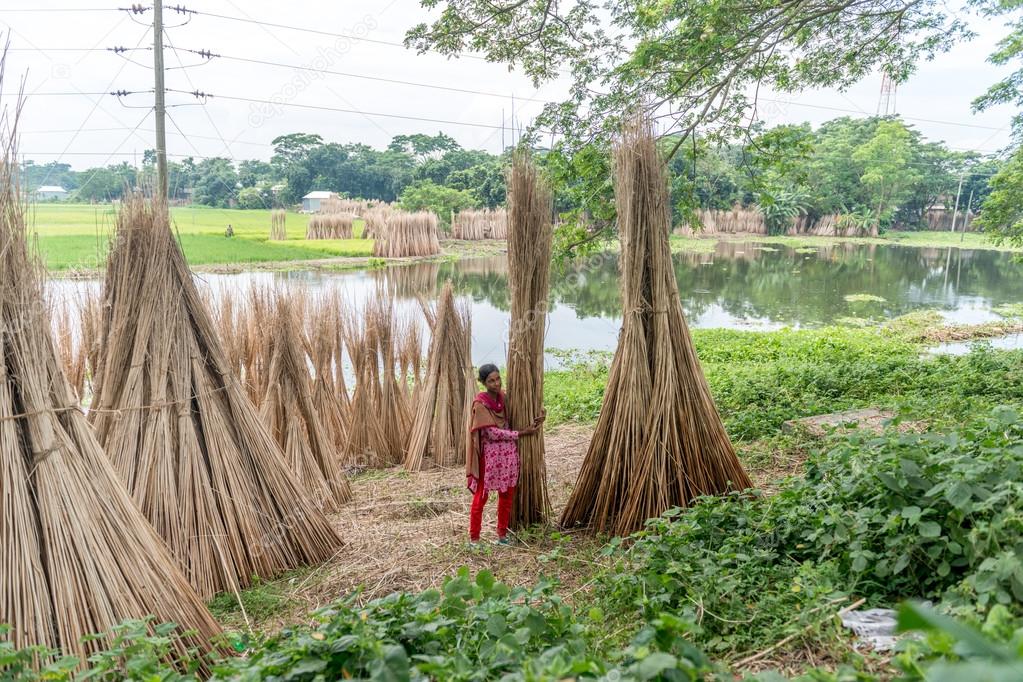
(702, 62)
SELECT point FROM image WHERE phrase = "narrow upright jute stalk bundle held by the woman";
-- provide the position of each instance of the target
(530, 235)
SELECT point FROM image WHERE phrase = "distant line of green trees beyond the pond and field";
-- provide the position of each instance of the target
(877, 170)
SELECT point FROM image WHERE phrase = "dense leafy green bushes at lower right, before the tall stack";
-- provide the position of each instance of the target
(902, 515)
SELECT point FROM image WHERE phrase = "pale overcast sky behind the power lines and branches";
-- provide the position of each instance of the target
(113, 130)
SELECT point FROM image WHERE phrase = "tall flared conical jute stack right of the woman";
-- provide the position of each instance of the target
(659, 441)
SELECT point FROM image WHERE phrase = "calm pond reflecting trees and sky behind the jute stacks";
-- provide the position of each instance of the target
(745, 286)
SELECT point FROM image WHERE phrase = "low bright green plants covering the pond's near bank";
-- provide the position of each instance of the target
(762, 380)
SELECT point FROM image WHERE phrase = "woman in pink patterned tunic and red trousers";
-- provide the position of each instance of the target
(492, 454)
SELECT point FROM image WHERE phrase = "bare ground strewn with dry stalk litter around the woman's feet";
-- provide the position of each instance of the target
(409, 532)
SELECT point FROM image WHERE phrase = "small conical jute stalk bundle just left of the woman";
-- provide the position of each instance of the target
(439, 425)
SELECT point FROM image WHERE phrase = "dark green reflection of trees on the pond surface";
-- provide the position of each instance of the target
(780, 284)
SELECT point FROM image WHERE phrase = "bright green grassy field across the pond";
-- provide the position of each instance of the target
(76, 237)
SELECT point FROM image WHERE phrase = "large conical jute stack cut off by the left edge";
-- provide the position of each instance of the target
(77, 557)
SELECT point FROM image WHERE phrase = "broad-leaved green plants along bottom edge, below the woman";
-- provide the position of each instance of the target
(473, 629)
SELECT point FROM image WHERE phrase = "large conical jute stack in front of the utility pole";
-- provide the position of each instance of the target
(180, 429)
